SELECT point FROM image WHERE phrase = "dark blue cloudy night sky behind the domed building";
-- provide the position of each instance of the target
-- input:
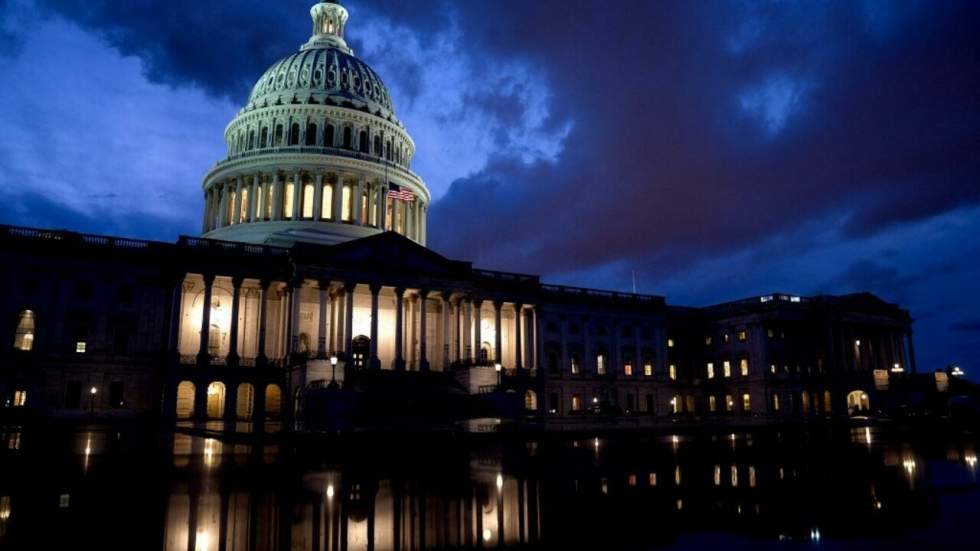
(717, 149)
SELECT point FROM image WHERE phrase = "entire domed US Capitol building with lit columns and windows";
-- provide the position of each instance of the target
(311, 300)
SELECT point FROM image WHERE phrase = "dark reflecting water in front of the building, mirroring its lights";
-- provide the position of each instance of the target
(854, 488)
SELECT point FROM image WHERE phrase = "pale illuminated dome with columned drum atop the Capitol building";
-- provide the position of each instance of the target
(314, 153)
